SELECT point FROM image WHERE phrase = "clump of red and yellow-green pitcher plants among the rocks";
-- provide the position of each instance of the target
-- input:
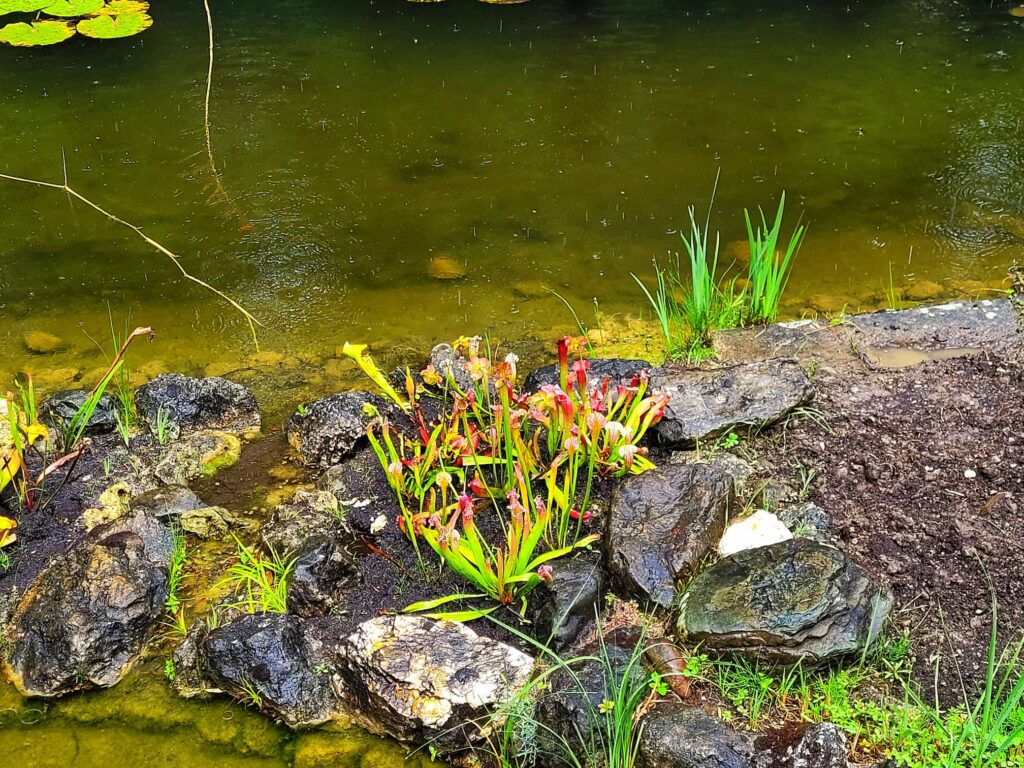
(531, 459)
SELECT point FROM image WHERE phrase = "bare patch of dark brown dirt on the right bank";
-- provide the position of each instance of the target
(923, 473)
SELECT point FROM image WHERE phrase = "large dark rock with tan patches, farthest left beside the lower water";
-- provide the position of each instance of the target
(86, 619)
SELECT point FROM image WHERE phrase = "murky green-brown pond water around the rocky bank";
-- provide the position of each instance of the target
(365, 149)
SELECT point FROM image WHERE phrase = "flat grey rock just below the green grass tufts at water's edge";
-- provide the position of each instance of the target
(708, 404)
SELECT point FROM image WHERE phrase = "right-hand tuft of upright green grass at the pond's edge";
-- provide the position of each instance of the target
(770, 270)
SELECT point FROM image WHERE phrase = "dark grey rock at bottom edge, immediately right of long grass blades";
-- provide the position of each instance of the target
(678, 737)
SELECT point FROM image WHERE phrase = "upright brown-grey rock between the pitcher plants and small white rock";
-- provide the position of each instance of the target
(663, 524)
